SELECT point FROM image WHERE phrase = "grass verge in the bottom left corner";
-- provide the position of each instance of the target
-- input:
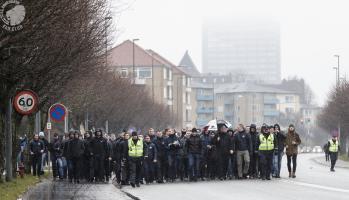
(12, 190)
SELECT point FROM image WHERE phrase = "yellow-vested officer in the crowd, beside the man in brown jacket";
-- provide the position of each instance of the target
(266, 144)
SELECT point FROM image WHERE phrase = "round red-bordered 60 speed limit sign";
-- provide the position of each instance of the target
(25, 102)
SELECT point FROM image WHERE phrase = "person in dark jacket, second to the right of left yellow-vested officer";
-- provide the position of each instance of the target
(161, 167)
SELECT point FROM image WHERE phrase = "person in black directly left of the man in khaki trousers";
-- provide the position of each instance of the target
(224, 148)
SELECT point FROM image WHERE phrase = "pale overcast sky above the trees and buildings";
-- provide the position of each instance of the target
(312, 32)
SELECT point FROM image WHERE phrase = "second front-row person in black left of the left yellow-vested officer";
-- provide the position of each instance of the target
(99, 148)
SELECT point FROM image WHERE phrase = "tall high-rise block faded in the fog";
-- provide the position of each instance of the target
(248, 48)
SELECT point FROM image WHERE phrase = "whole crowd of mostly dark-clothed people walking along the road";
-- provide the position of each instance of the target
(132, 158)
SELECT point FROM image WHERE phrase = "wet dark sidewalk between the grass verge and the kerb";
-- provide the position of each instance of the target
(64, 190)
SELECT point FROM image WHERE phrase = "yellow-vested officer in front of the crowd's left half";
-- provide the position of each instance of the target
(136, 151)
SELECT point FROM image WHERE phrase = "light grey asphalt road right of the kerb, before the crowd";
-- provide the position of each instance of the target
(314, 181)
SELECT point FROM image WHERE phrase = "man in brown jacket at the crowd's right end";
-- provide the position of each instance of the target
(291, 142)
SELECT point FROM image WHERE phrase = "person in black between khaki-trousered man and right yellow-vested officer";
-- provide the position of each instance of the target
(254, 158)
